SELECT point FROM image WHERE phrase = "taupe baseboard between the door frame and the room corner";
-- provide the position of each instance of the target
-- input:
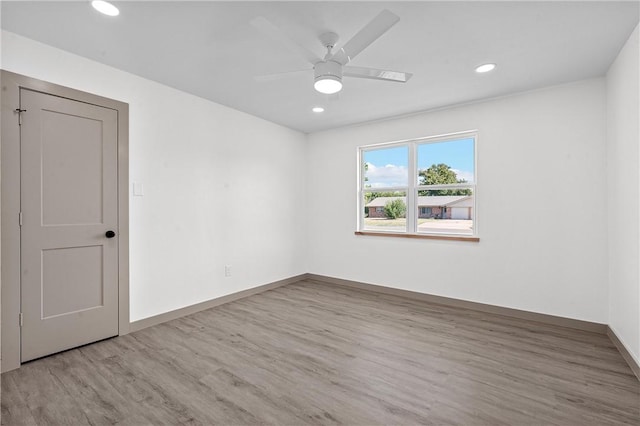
(192, 309)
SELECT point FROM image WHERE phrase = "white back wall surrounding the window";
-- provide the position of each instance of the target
(541, 206)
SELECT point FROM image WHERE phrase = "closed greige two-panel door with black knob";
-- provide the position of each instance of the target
(69, 204)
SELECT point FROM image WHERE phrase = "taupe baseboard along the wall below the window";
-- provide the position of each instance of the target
(447, 301)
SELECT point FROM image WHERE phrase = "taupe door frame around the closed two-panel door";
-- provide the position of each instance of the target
(10, 84)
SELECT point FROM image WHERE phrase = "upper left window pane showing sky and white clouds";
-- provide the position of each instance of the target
(385, 168)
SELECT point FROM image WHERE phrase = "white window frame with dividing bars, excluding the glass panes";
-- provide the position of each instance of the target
(412, 188)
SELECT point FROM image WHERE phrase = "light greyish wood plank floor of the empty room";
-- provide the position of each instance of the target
(319, 354)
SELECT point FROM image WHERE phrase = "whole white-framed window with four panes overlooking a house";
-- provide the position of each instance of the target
(420, 187)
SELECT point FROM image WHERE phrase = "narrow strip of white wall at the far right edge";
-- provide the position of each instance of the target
(623, 137)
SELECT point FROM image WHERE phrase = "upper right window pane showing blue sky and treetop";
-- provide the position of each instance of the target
(446, 162)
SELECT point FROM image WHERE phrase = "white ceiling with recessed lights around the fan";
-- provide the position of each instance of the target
(210, 49)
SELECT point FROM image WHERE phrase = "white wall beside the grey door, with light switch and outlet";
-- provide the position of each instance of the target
(221, 187)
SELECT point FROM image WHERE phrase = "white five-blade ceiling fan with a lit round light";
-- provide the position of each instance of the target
(328, 71)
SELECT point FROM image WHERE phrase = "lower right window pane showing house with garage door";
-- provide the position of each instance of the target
(446, 214)
